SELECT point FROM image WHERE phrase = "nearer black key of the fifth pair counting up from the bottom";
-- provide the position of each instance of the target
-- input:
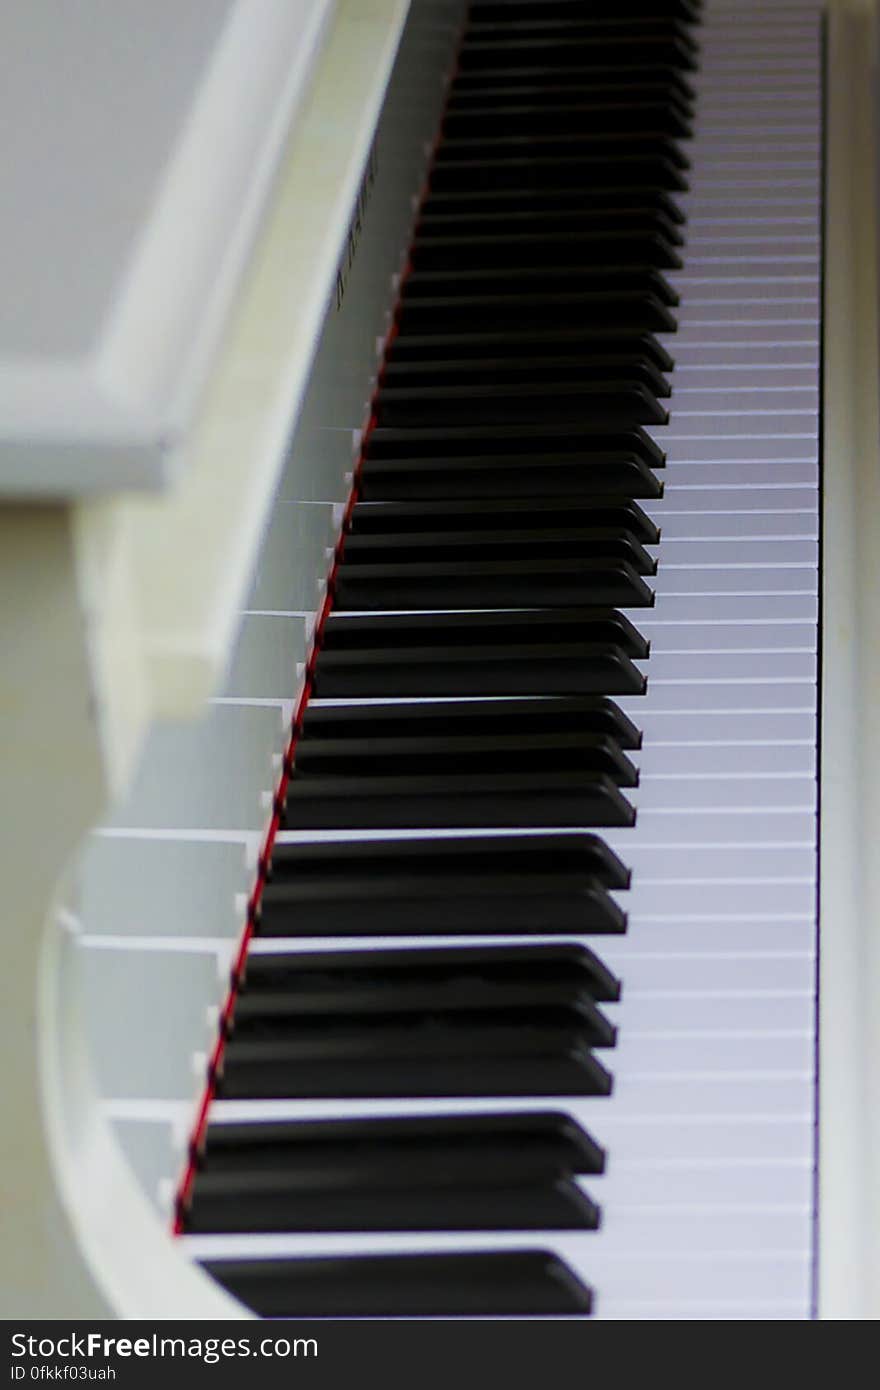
(490, 313)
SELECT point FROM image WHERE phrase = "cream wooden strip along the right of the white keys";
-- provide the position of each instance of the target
(850, 790)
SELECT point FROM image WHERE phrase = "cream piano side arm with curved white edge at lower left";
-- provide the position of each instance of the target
(79, 1239)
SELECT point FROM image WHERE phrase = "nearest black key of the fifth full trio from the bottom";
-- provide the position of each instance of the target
(554, 248)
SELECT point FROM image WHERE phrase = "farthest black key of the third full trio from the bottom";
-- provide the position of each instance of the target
(503, 515)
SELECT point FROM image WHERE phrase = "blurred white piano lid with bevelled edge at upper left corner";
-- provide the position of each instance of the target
(141, 147)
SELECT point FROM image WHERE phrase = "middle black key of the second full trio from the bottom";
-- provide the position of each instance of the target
(402, 755)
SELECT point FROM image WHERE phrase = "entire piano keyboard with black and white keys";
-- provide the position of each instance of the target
(525, 1022)
